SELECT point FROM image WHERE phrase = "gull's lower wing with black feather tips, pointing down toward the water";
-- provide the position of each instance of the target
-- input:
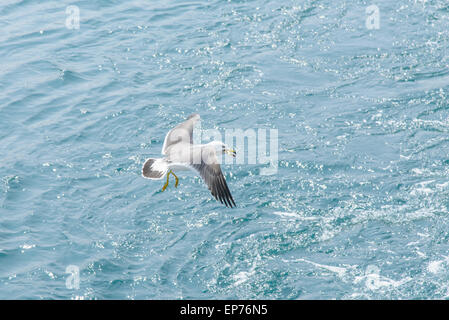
(213, 177)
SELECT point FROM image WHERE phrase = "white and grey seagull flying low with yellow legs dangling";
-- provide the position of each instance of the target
(181, 154)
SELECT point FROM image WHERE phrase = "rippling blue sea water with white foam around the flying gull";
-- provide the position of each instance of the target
(357, 210)
